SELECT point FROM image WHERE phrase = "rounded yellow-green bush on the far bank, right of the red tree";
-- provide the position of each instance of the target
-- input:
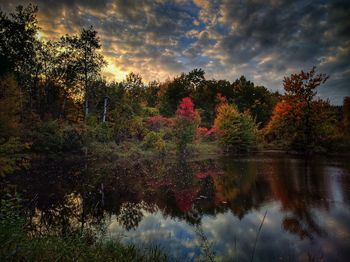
(237, 131)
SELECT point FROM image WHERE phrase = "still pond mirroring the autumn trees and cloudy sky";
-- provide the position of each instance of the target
(265, 207)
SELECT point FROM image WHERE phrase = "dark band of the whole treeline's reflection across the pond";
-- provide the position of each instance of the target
(66, 196)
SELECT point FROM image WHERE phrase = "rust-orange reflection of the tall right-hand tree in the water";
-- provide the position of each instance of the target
(302, 188)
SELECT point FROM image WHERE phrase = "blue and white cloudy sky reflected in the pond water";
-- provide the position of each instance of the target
(234, 238)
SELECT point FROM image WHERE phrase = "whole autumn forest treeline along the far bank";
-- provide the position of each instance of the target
(54, 99)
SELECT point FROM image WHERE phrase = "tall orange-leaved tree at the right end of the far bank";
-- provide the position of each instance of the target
(300, 121)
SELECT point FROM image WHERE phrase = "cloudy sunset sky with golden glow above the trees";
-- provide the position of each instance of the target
(263, 40)
